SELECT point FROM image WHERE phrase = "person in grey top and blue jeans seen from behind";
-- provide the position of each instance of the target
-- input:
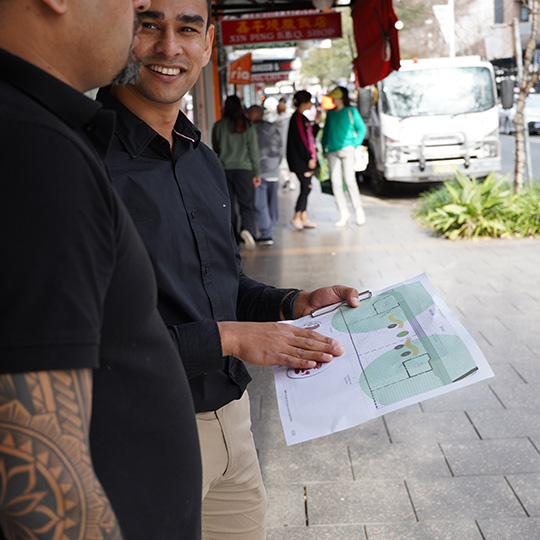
(266, 194)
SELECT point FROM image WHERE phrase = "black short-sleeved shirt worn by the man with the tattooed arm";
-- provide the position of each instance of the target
(77, 291)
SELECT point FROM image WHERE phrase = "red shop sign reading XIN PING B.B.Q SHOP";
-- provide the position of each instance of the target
(290, 28)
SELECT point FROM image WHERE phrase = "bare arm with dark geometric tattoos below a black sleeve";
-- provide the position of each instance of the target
(48, 488)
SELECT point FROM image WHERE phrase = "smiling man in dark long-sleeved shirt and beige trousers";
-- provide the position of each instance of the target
(175, 189)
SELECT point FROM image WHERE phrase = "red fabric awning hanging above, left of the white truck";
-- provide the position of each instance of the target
(376, 40)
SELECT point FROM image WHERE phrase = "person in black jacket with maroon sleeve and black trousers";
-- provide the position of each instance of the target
(301, 156)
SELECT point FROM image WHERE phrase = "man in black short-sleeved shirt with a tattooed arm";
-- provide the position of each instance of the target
(97, 427)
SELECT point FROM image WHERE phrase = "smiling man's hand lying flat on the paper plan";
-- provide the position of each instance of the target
(276, 344)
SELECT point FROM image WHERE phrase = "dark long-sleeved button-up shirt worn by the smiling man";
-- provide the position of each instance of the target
(180, 205)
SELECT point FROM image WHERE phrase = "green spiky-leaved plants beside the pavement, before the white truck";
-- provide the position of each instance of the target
(467, 208)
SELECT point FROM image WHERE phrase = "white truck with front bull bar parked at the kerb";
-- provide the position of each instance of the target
(431, 118)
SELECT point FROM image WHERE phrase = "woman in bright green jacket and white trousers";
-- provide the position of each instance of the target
(344, 130)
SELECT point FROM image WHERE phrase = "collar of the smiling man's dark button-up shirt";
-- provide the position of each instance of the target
(135, 134)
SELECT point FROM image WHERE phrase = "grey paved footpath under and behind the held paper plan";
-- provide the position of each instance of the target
(464, 466)
